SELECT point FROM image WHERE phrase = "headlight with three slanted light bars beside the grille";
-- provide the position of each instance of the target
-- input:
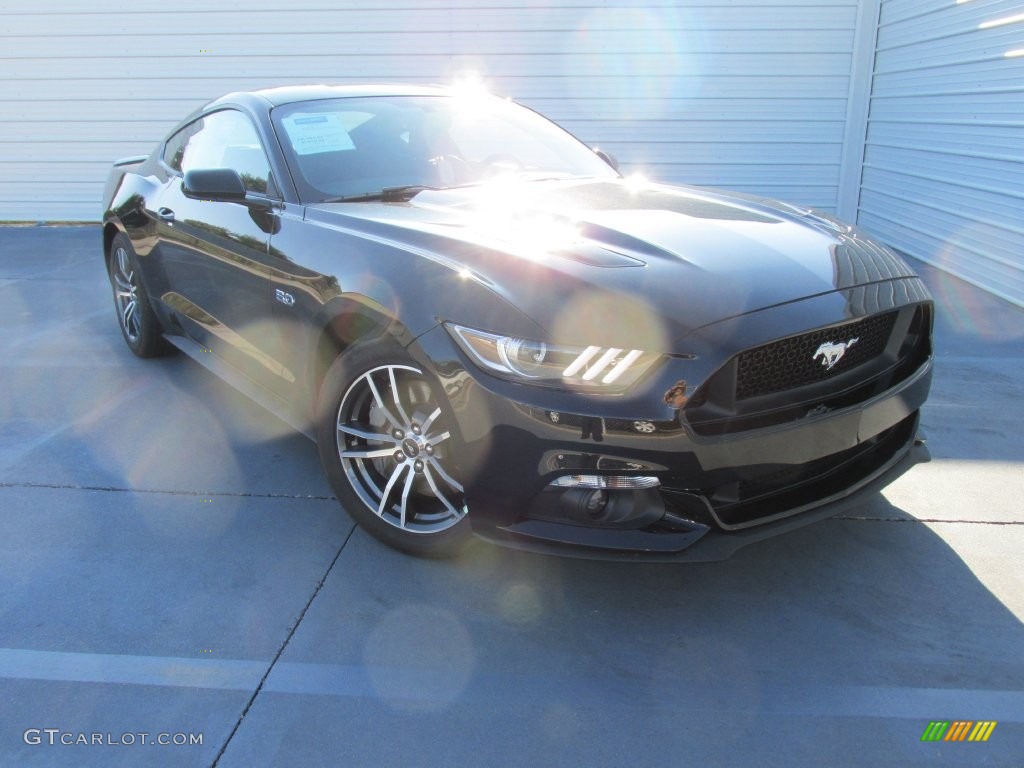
(593, 368)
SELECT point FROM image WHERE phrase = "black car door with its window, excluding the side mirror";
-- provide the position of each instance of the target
(216, 253)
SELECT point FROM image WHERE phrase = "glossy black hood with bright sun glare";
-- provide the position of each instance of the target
(586, 259)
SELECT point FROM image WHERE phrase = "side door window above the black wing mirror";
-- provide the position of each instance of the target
(223, 140)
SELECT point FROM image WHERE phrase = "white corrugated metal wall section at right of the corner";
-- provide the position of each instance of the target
(944, 175)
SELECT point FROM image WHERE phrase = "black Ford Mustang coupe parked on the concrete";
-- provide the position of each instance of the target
(486, 328)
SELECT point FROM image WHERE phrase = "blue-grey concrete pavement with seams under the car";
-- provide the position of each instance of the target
(174, 565)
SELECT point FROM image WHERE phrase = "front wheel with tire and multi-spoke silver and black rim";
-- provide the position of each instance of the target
(386, 441)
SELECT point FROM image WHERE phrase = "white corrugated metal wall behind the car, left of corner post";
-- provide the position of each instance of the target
(749, 95)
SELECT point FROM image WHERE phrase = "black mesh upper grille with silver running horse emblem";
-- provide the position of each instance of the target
(792, 363)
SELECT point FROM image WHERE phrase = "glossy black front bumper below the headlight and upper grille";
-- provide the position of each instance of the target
(716, 494)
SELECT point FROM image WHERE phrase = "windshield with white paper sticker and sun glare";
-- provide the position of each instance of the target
(349, 148)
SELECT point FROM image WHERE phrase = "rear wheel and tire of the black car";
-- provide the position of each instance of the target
(140, 325)
